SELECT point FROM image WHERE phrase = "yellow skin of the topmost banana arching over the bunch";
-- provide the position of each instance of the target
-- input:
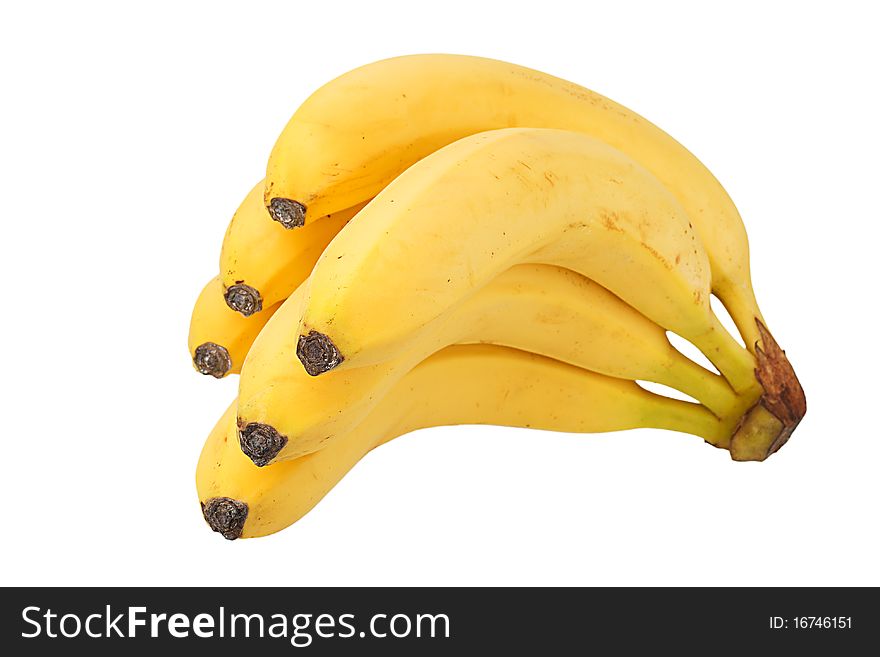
(329, 157)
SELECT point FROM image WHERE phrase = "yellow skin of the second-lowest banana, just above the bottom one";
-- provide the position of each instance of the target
(537, 308)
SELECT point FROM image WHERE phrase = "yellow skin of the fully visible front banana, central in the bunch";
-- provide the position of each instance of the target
(456, 219)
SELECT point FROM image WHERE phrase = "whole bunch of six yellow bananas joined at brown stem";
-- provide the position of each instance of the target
(447, 240)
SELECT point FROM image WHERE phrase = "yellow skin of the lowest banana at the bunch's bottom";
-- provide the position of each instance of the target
(473, 384)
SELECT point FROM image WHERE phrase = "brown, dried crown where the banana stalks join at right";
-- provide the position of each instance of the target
(768, 425)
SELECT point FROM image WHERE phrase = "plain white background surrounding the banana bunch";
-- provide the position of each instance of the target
(129, 136)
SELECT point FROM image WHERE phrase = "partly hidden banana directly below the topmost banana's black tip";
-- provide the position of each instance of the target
(261, 263)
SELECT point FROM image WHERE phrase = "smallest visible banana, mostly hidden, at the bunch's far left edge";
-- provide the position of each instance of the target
(219, 338)
